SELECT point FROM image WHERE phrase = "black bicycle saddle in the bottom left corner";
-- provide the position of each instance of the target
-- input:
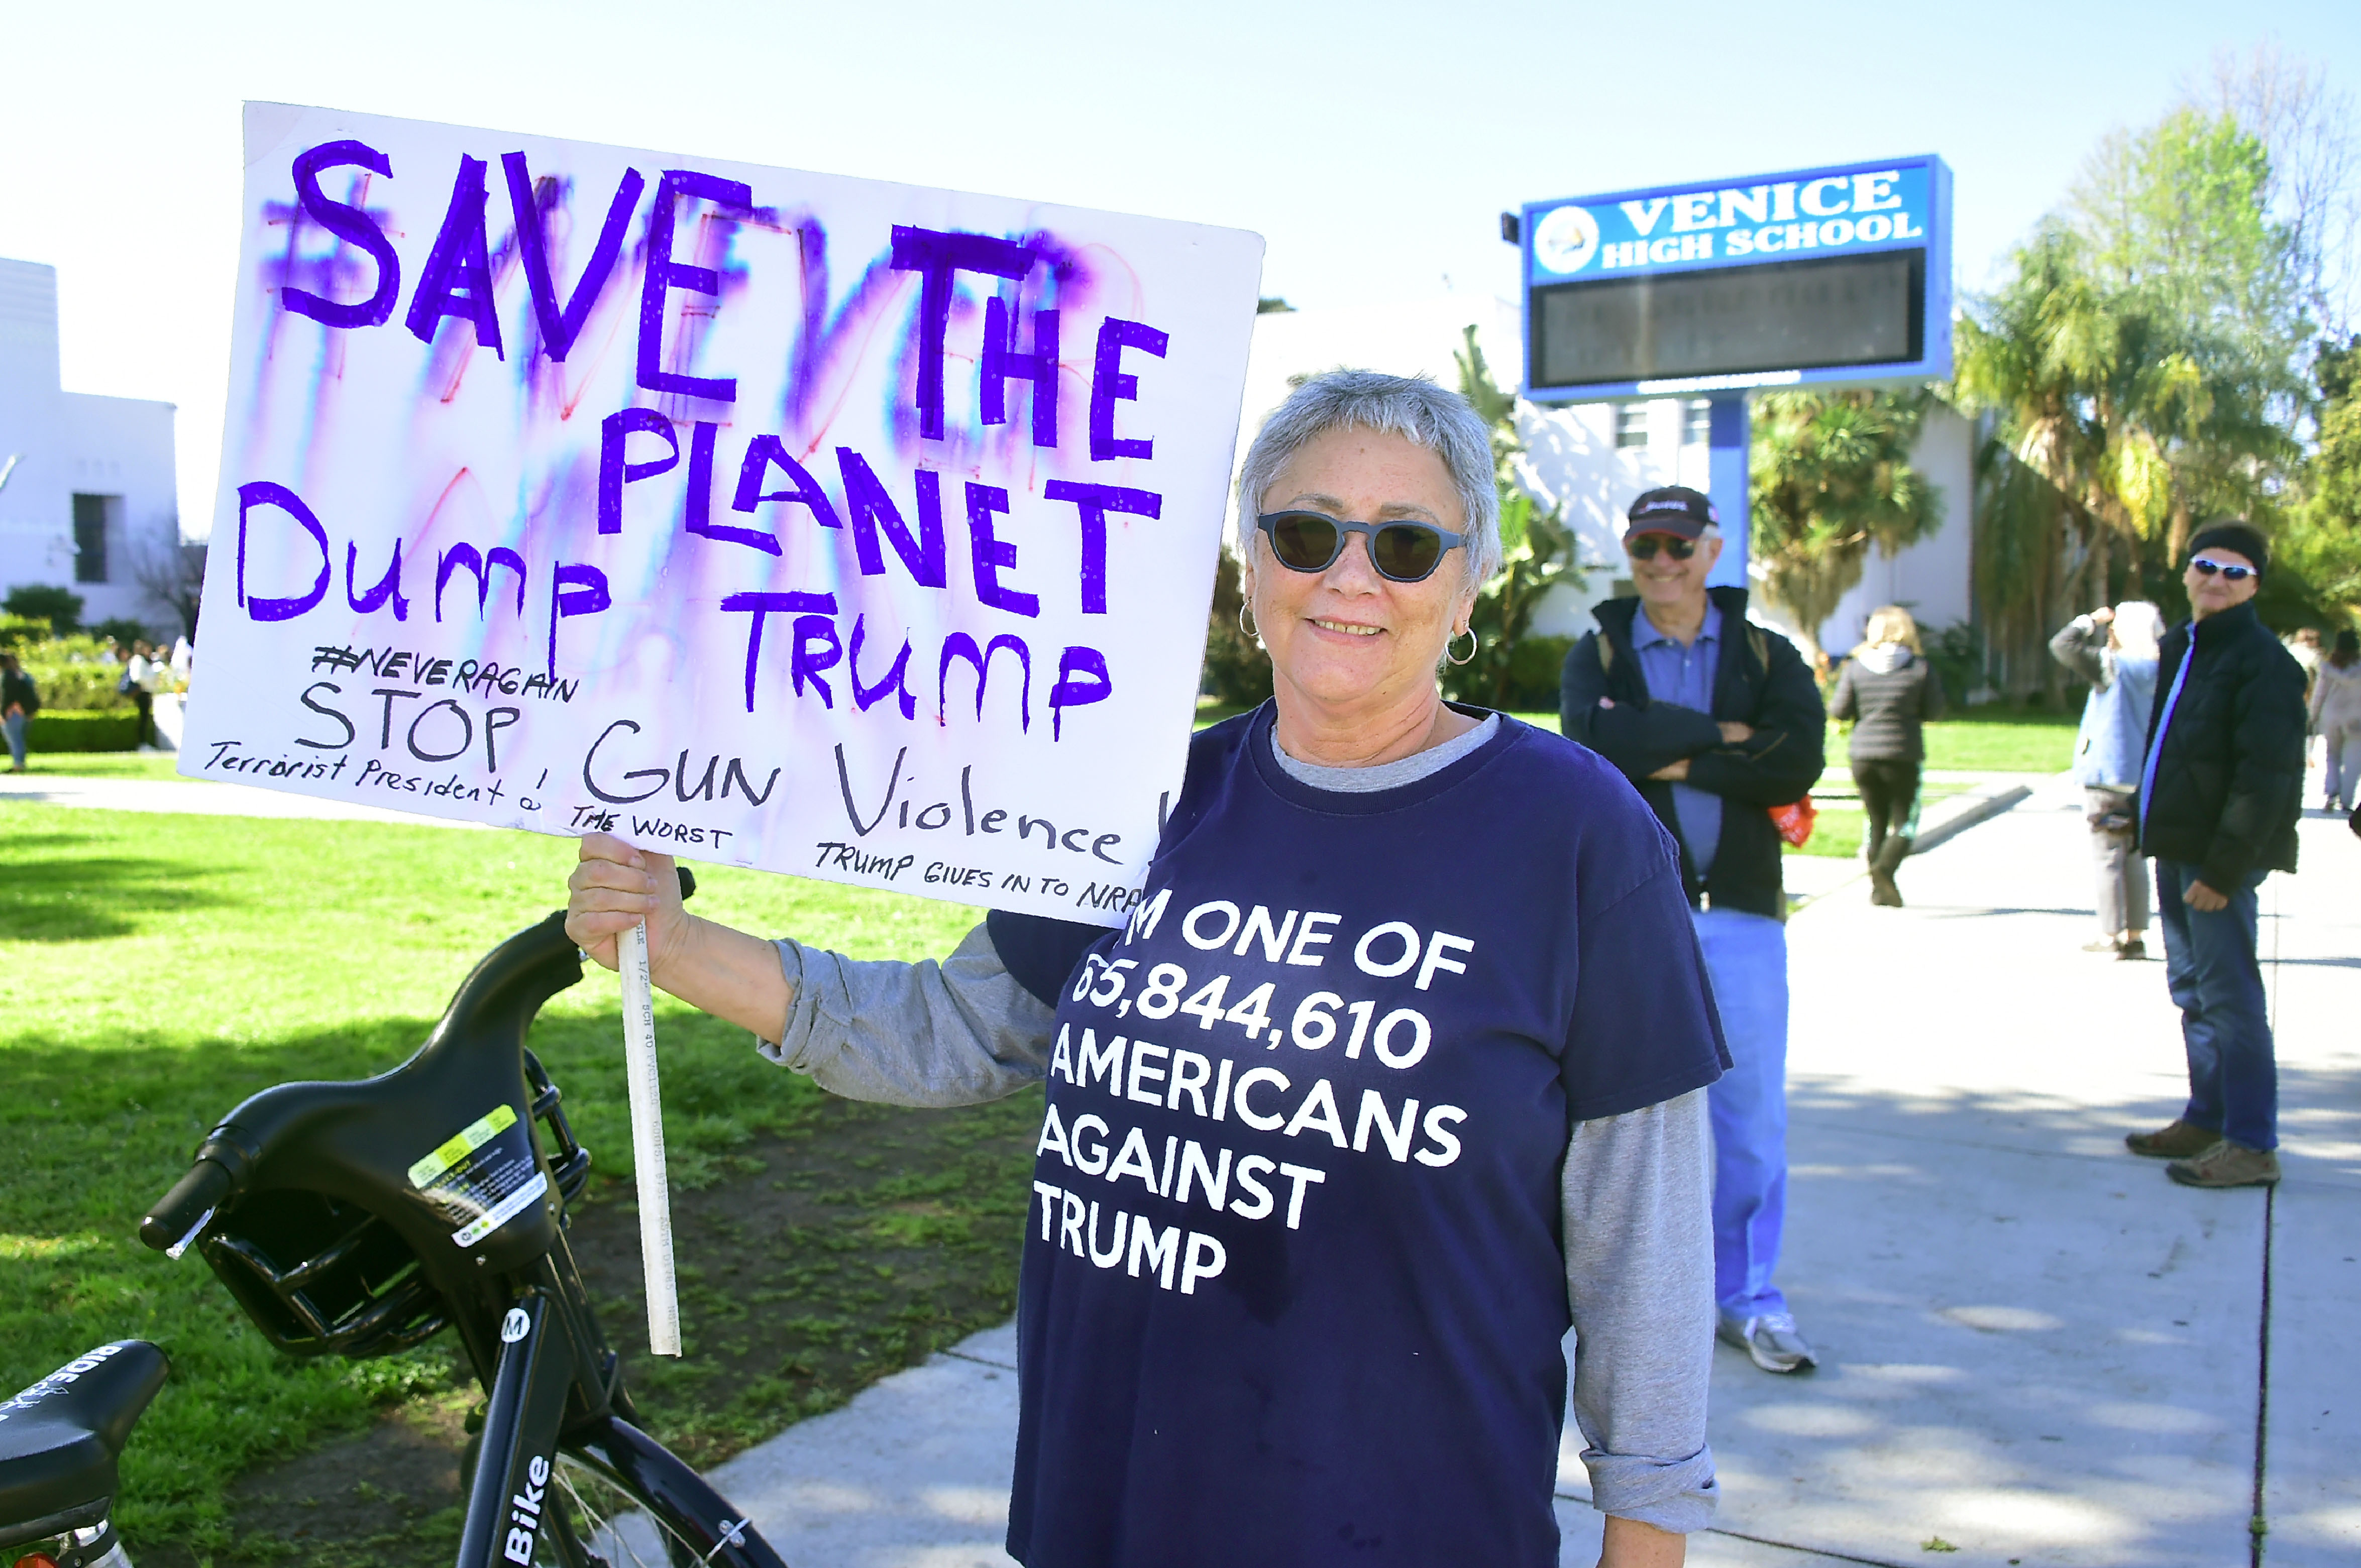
(60, 1439)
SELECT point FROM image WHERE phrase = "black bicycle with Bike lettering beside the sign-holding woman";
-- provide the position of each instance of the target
(362, 1220)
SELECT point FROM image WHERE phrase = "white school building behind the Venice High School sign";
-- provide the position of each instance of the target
(1595, 459)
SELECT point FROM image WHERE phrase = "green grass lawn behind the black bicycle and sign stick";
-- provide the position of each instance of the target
(157, 969)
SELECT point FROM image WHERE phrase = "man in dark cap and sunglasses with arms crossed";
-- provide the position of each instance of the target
(1718, 721)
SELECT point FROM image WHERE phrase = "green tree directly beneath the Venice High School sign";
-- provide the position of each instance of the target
(1831, 478)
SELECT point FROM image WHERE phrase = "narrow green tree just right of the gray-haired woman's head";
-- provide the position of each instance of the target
(1538, 551)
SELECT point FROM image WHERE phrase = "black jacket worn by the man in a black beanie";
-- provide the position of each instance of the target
(2230, 773)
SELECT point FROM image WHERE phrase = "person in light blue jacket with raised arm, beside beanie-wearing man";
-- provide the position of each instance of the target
(2114, 651)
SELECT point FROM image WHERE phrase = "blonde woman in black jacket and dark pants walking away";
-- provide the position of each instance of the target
(1890, 693)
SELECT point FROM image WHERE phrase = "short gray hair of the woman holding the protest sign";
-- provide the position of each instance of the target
(1411, 407)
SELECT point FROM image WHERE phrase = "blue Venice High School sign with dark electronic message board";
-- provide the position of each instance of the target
(1772, 280)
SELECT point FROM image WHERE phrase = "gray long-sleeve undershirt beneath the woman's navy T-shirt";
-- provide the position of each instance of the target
(1635, 1189)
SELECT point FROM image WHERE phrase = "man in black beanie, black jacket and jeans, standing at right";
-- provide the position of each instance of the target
(2221, 792)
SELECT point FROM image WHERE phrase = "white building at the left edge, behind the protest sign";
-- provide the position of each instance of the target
(86, 483)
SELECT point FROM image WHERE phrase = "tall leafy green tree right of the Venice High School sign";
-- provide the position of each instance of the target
(2140, 372)
